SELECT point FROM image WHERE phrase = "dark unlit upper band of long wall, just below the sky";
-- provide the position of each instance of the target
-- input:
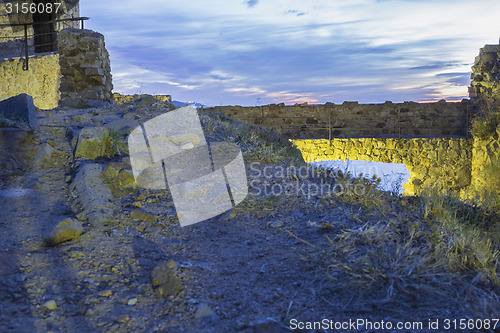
(351, 119)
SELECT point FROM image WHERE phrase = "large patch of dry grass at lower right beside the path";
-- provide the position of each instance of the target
(408, 255)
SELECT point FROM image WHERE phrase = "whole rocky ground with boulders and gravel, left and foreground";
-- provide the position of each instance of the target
(120, 261)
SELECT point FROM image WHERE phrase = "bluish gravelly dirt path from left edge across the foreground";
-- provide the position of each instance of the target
(237, 270)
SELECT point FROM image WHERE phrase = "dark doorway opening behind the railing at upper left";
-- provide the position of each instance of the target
(45, 39)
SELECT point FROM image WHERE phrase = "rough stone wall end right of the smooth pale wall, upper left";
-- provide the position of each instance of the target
(85, 68)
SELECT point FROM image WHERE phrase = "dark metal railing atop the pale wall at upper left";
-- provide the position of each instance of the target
(41, 42)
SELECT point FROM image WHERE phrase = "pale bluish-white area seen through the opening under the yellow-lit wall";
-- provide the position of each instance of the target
(393, 175)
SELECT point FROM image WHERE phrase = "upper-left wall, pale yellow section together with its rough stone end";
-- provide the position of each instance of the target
(79, 76)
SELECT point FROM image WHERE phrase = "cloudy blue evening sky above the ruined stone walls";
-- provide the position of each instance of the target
(256, 52)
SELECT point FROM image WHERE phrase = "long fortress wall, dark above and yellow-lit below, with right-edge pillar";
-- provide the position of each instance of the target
(431, 139)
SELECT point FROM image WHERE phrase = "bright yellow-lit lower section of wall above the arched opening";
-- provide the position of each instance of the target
(443, 162)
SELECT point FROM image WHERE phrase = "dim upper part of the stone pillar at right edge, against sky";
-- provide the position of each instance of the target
(485, 86)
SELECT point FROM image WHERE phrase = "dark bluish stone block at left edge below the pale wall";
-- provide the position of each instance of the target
(19, 108)
